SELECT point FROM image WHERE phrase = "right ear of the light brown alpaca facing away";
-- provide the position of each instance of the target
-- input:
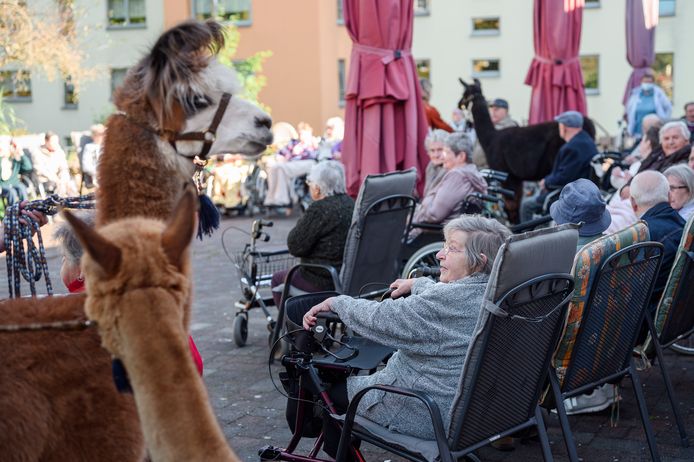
(180, 228)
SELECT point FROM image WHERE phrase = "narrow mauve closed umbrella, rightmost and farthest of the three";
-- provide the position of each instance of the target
(641, 21)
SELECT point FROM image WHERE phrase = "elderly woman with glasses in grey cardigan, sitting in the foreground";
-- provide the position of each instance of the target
(431, 329)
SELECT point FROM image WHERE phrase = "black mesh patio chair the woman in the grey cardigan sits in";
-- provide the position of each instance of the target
(506, 365)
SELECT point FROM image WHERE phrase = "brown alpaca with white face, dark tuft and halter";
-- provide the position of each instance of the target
(62, 404)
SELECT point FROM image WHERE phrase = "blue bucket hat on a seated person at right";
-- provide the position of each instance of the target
(581, 201)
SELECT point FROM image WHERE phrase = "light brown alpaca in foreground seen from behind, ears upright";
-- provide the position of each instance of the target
(137, 272)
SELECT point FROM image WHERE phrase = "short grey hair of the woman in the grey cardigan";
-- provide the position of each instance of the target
(484, 236)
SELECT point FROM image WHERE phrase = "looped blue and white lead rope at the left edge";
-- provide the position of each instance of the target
(30, 263)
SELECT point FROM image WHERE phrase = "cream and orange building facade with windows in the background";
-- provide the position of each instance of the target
(488, 39)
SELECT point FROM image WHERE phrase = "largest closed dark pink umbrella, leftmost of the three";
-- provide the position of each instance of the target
(385, 125)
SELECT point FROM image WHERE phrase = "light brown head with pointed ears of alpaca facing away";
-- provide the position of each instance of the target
(137, 259)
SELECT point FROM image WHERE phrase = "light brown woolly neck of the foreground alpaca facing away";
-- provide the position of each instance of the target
(172, 403)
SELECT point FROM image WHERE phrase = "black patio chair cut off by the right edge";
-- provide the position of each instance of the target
(674, 317)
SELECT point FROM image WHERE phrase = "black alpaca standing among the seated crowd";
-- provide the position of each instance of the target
(526, 153)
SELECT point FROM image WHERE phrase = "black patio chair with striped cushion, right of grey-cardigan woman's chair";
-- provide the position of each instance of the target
(609, 327)
